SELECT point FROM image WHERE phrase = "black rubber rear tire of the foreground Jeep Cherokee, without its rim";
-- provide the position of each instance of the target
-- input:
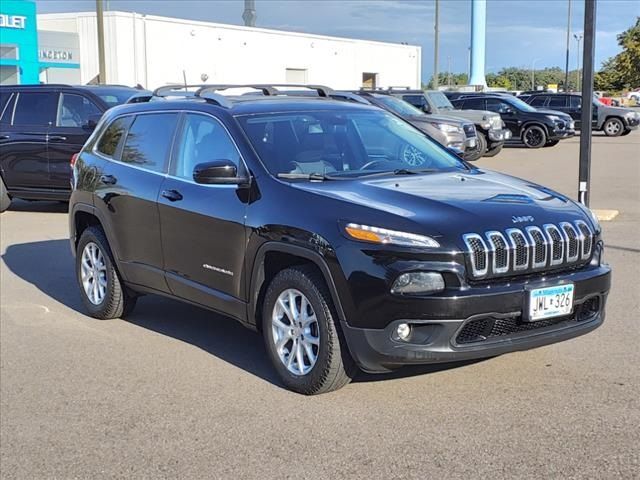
(117, 302)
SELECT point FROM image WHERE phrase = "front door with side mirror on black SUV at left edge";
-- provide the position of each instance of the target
(68, 134)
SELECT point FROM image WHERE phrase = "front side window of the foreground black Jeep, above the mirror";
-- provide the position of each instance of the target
(201, 140)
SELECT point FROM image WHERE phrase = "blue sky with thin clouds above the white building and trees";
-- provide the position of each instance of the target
(520, 33)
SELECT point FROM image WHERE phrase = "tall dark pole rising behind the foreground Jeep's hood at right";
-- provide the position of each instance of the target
(584, 174)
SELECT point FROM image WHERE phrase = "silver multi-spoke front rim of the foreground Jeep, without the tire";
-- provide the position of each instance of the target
(296, 334)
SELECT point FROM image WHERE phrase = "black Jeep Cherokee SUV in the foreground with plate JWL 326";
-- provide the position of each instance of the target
(299, 217)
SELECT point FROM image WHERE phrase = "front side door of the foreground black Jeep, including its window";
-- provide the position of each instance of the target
(203, 233)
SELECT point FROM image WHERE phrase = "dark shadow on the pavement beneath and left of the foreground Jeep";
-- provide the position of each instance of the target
(49, 266)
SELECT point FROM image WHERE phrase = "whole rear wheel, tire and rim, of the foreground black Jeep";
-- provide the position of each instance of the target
(101, 290)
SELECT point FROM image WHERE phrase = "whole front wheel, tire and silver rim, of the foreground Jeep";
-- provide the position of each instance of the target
(302, 333)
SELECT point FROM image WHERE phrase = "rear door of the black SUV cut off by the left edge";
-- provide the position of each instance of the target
(23, 139)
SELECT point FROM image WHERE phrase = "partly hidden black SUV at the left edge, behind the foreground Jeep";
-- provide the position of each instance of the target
(41, 127)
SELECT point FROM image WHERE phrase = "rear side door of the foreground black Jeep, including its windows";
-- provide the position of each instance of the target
(136, 151)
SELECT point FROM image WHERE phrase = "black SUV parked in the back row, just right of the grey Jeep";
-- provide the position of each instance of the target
(535, 128)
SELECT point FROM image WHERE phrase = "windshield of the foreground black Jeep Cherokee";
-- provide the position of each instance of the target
(342, 144)
